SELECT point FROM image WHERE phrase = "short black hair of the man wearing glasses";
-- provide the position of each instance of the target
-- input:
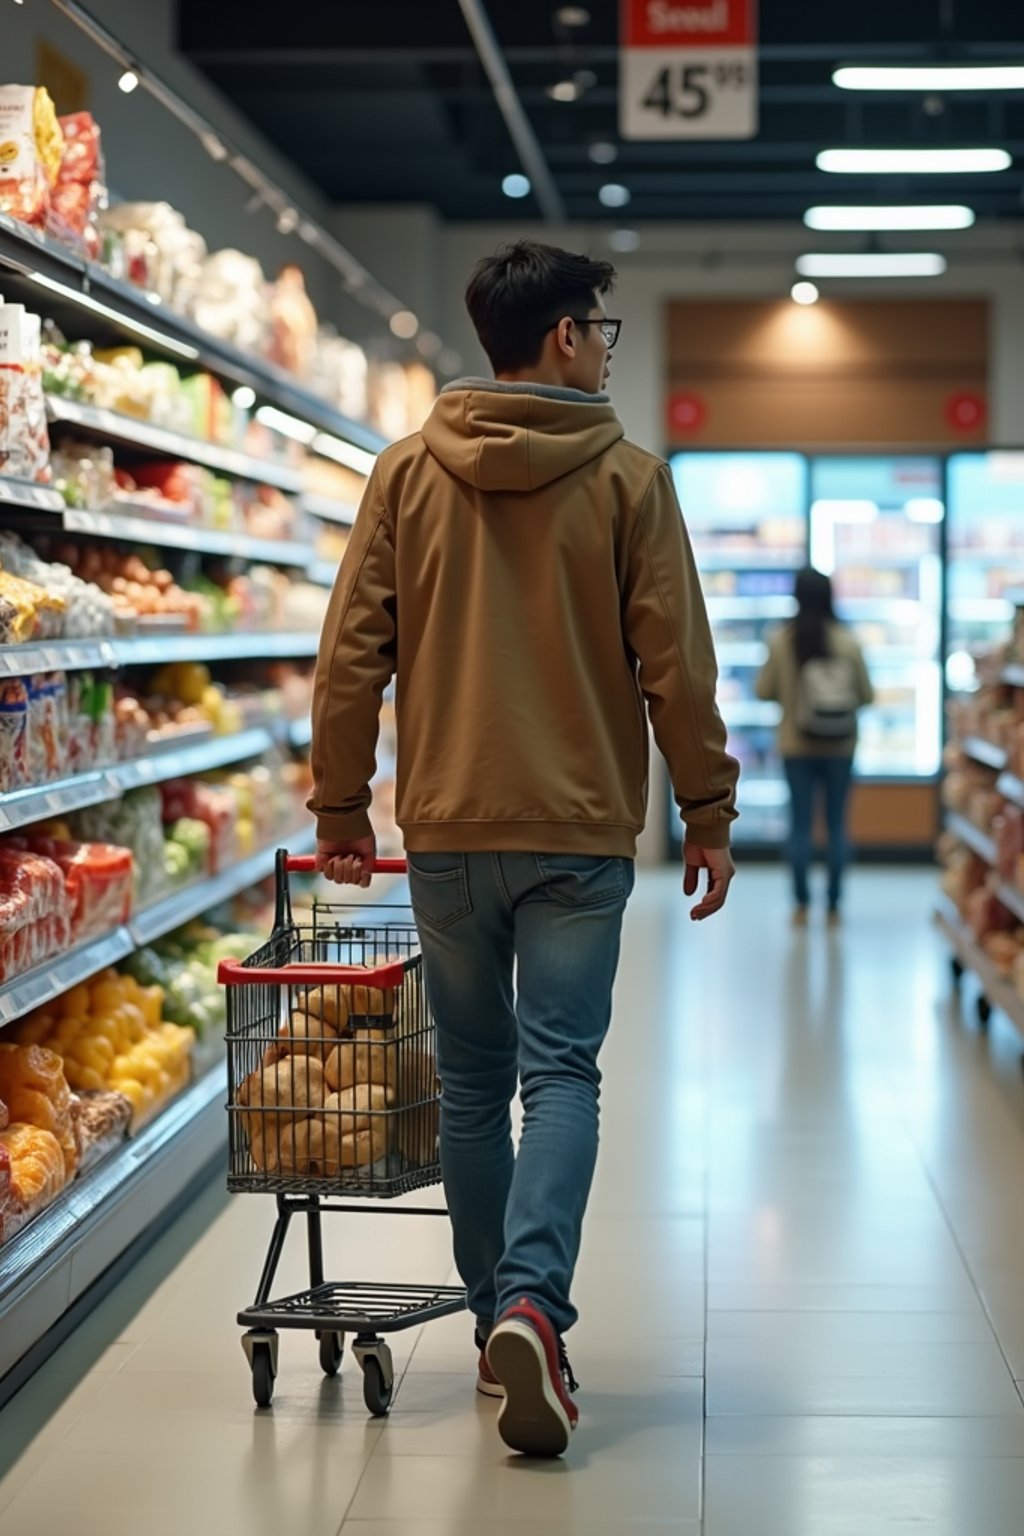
(524, 290)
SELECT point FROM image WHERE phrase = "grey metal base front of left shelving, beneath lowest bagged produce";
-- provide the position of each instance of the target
(71, 1245)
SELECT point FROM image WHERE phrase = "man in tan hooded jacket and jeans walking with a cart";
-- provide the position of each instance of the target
(526, 575)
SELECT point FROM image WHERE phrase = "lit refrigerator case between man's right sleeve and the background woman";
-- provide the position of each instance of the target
(747, 515)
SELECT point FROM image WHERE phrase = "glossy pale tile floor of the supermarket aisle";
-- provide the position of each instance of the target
(802, 1288)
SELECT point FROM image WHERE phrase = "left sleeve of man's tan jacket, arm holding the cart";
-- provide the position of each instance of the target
(355, 666)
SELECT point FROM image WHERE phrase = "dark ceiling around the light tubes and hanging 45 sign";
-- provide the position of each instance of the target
(388, 102)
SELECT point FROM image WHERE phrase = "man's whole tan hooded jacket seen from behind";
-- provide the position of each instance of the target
(527, 577)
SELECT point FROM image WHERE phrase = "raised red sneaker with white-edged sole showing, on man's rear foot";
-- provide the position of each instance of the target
(529, 1360)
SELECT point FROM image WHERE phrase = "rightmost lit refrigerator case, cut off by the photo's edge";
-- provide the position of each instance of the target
(985, 557)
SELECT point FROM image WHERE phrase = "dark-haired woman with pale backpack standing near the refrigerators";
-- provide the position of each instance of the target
(816, 670)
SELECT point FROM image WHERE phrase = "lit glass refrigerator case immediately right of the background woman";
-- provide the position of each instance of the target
(876, 528)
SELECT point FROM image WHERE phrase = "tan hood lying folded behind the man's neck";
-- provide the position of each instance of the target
(518, 437)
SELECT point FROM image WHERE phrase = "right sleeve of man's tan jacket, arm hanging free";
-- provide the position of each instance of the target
(667, 629)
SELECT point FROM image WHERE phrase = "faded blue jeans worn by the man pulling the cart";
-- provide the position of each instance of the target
(557, 919)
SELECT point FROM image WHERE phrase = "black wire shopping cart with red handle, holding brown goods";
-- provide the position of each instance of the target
(332, 1091)
